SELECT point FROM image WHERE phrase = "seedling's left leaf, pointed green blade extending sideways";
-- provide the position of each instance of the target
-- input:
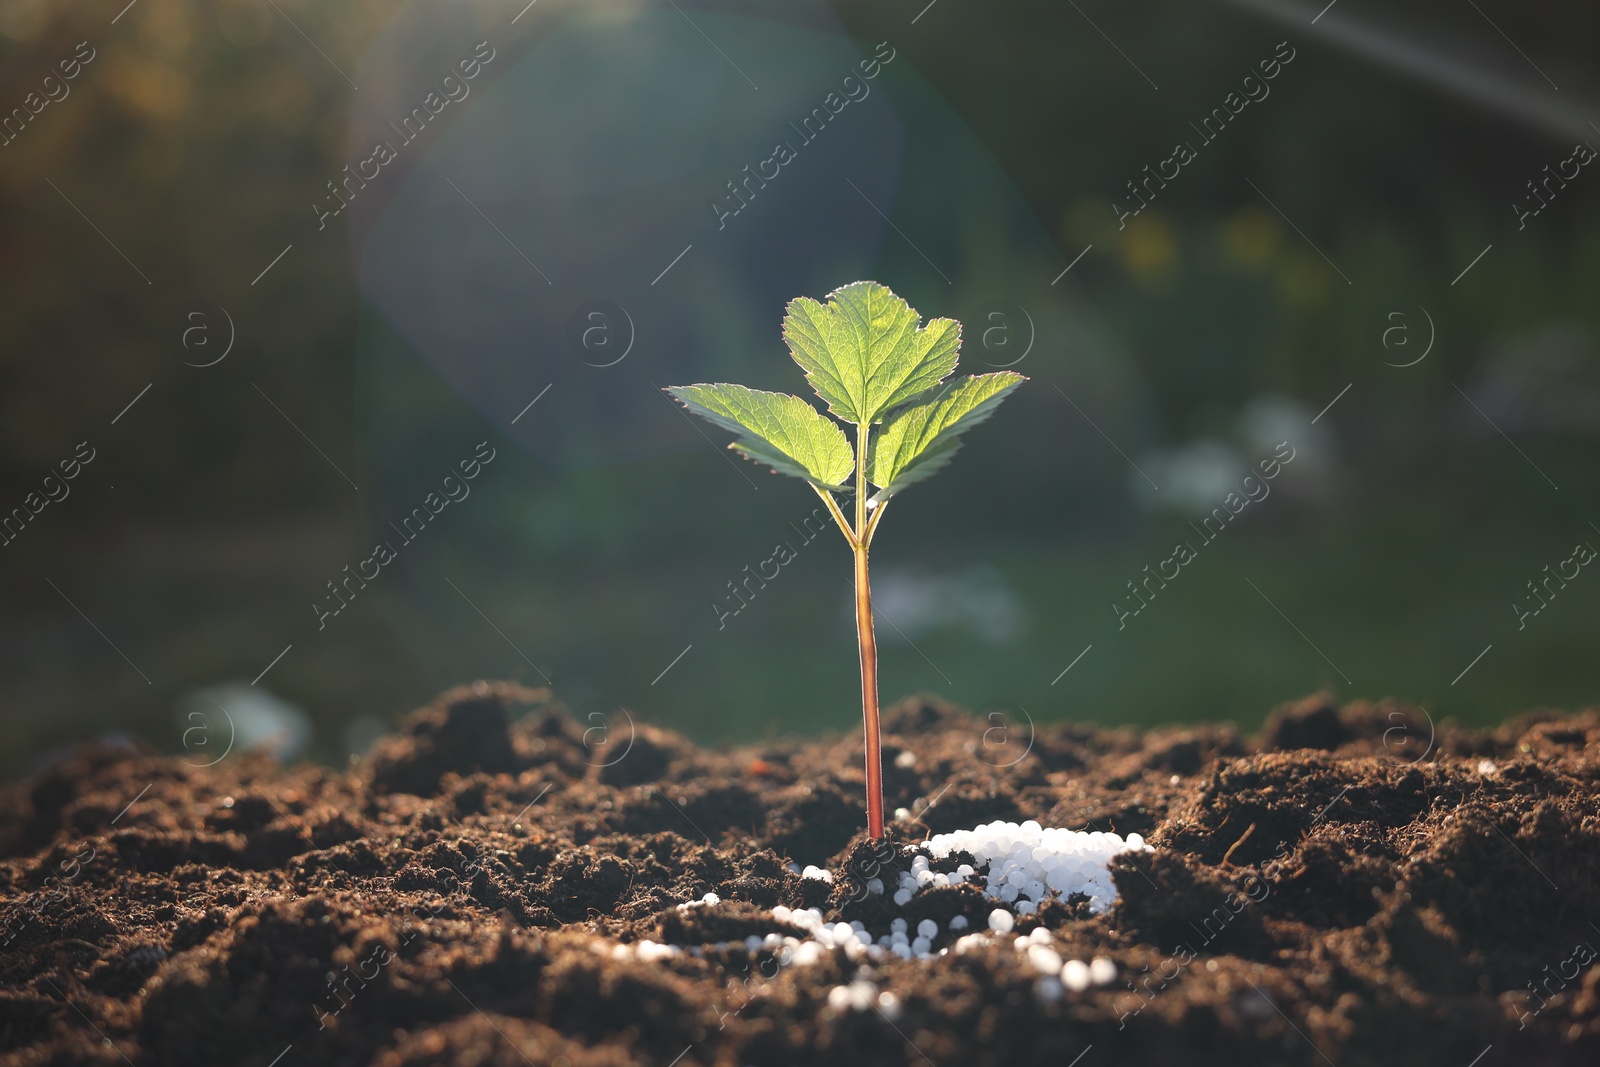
(777, 430)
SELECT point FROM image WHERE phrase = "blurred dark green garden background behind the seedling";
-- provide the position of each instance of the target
(1175, 353)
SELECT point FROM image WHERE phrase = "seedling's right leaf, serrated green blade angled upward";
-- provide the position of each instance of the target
(924, 436)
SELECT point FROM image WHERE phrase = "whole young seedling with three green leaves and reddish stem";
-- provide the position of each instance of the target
(874, 367)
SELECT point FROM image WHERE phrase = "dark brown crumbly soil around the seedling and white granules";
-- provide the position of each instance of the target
(1348, 887)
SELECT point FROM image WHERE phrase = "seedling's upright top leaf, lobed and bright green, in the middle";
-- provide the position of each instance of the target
(863, 351)
